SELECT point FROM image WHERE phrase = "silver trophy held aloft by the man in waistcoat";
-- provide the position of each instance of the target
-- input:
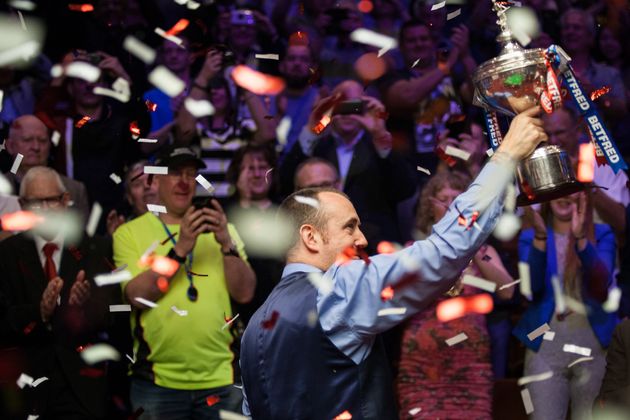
(510, 84)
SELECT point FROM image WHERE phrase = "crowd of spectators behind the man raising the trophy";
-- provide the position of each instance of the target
(69, 148)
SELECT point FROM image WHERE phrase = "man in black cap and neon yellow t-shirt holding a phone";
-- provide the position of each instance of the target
(183, 362)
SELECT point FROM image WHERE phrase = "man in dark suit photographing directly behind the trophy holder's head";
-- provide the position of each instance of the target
(373, 175)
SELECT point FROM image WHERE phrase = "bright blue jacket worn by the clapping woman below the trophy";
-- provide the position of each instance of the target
(597, 262)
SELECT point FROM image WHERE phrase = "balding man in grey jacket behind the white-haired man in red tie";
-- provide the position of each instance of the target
(29, 137)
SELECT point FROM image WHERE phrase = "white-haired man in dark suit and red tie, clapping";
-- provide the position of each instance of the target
(49, 310)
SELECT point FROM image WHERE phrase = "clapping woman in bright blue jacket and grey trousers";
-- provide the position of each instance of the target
(571, 260)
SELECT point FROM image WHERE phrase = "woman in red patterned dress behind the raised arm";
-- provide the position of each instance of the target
(449, 381)
